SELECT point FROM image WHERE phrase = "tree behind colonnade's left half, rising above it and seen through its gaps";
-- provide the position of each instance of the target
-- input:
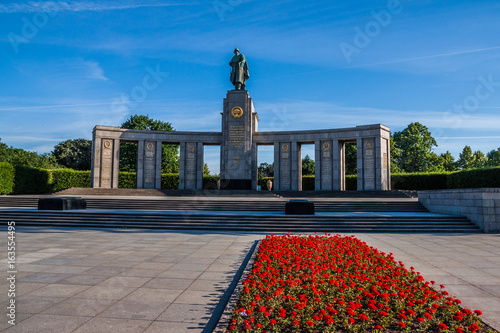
(128, 151)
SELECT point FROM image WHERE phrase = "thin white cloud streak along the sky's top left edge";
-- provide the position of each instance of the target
(73, 6)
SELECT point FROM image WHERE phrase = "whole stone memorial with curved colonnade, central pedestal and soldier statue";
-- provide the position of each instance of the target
(239, 140)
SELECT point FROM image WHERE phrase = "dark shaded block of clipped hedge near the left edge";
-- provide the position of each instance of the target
(31, 180)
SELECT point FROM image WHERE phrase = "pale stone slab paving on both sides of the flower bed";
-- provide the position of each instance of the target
(118, 280)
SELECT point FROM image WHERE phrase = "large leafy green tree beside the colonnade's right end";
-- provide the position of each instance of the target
(416, 144)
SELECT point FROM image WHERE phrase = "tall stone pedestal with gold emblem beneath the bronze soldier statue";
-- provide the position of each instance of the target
(238, 151)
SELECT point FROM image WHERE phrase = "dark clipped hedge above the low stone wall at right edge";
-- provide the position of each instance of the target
(474, 178)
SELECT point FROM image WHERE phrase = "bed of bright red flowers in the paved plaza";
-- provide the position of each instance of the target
(340, 284)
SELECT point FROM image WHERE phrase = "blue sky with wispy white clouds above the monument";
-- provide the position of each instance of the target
(70, 65)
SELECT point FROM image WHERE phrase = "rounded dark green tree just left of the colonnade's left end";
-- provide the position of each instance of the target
(74, 154)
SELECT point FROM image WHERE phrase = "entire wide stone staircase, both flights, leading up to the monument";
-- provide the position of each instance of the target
(244, 212)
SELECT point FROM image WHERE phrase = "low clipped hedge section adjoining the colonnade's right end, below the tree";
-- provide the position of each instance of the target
(419, 181)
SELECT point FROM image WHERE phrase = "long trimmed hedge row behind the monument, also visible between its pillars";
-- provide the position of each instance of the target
(26, 180)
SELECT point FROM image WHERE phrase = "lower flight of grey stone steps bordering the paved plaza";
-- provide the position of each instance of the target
(238, 222)
